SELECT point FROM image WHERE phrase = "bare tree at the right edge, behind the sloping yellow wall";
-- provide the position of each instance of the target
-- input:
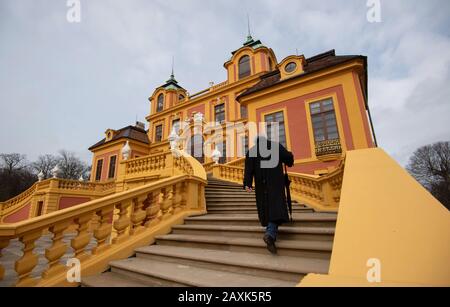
(430, 165)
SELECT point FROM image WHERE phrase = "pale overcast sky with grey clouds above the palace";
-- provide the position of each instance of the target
(63, 84)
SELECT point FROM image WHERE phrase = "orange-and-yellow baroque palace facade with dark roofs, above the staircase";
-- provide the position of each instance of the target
(320, 104)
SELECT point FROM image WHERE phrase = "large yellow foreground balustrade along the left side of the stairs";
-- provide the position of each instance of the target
(123, 222)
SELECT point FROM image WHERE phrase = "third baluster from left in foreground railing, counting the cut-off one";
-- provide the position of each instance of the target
(57, 250)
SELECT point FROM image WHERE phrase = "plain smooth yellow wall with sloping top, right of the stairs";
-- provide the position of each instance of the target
(385, 214)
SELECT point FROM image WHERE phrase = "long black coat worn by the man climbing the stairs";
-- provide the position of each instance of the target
(269, 183)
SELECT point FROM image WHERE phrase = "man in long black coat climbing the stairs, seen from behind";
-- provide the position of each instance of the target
(264, 163)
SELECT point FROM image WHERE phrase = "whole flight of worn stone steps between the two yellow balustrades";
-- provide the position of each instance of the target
(225, 248)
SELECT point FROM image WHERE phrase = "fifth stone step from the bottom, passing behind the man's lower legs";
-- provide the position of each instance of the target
(284, 233)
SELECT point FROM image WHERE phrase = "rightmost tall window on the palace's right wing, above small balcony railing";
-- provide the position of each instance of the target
(323, 120)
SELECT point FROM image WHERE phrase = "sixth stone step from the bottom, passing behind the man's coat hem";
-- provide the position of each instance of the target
(299, 219)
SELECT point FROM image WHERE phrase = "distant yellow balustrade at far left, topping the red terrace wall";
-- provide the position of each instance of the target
(55, 187)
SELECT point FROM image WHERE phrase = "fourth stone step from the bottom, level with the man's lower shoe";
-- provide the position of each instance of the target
(311, 249)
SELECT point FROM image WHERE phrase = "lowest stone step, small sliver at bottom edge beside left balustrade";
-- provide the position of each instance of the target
(111, 279)
